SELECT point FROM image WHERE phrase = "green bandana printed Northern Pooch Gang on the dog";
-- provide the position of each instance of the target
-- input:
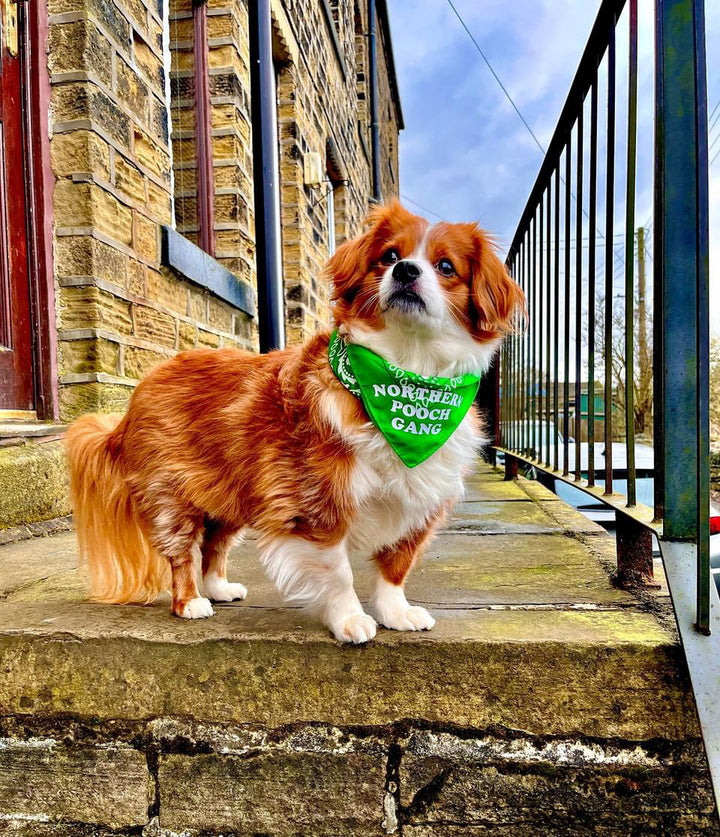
(415, 413)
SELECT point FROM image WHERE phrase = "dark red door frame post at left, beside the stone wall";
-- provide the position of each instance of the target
(40, 182)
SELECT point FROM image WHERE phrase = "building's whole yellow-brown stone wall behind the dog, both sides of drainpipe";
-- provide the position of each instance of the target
(118, 311)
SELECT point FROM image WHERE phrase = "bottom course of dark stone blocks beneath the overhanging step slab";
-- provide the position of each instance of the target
(174, 777)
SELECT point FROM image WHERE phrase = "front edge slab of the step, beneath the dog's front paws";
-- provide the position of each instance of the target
(248, 665)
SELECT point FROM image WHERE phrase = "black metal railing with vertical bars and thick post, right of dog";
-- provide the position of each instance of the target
(585, 321)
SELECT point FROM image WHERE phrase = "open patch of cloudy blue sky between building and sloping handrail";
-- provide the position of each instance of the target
(460, 125)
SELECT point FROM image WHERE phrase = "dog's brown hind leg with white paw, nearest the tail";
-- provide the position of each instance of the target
(175, 534)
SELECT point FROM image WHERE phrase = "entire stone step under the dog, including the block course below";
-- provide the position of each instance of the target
(544, 701)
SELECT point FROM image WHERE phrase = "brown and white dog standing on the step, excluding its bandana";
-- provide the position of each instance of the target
(215, 441)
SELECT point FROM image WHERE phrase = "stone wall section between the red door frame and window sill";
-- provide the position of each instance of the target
(118, 312)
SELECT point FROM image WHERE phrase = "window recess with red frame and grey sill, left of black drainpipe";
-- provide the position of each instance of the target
(202, 246)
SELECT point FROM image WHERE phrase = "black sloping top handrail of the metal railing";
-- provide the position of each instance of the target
(596, 46)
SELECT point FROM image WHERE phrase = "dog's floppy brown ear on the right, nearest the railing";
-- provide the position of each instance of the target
(497, 303)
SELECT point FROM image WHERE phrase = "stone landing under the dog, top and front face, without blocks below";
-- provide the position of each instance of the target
(520, 616)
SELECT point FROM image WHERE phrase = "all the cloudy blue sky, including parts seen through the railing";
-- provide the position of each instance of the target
(465, 153)
